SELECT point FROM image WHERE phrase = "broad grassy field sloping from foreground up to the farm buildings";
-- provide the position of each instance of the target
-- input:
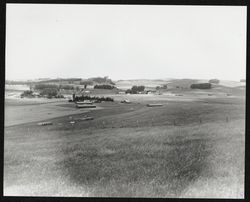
(186, 148)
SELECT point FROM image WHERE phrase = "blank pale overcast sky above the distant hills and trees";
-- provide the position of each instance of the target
(125, 41)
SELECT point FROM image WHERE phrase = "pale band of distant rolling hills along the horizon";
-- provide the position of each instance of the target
(177, 85)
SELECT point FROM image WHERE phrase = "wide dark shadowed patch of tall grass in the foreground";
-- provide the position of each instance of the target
(137, 167)
